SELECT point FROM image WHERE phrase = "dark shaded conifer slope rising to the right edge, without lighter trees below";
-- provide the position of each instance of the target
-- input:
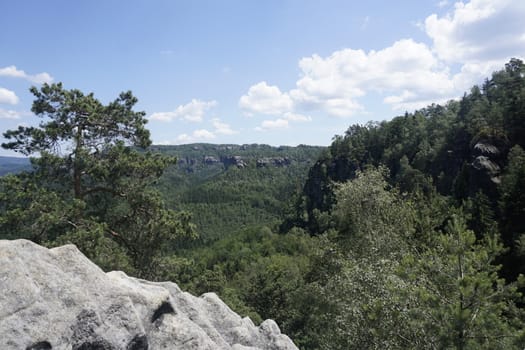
(469, 150)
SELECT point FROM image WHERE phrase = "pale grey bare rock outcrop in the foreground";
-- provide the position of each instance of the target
(58, 299)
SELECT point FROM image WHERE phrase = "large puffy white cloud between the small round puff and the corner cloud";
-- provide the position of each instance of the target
(334, 84)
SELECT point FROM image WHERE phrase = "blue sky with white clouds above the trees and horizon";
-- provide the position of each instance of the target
(278, 72)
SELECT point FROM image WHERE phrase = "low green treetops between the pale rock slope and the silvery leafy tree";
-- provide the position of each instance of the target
(259, 273)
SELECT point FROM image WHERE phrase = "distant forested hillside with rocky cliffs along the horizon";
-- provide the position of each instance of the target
(231, 187)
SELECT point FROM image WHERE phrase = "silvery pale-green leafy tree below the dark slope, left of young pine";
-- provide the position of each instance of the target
(361, 308)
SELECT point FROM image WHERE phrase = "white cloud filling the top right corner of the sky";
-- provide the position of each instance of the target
(479, 30)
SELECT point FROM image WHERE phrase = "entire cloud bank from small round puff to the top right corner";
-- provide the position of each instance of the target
(467, 44)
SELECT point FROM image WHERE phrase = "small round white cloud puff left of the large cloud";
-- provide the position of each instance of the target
(265, 99)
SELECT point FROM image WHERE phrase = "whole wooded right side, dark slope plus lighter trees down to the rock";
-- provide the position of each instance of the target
(408, 234)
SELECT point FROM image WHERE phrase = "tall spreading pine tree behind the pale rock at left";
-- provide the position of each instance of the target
(89, 187)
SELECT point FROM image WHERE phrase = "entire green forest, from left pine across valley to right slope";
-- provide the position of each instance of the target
(402, 234)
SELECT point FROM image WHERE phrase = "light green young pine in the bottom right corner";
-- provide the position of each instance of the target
(458, 298)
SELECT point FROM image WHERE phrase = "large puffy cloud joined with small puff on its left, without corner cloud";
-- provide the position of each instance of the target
(407, 73)
